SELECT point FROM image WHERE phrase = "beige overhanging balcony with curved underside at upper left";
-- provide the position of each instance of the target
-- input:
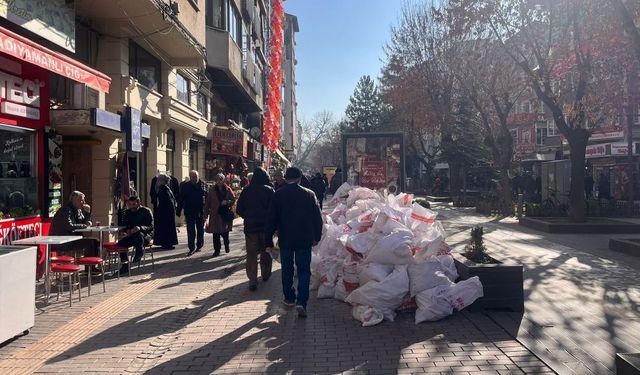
(163, 32)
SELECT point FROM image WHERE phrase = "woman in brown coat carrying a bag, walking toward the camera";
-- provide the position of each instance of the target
(219, 195)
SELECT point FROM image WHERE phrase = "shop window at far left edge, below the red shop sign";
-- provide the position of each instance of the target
(18, 181)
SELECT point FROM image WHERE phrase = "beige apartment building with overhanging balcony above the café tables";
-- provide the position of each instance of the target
(156, 112)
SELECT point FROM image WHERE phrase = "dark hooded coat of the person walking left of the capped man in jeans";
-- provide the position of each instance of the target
(253, 204)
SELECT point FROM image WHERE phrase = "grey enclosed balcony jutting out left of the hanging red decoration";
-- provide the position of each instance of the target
(225, 65)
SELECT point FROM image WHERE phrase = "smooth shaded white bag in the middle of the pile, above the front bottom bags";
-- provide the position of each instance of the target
(395, 248)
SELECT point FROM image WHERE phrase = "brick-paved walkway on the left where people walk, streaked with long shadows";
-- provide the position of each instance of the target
(196, 315)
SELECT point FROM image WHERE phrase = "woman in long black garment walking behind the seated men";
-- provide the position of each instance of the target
(165, 216)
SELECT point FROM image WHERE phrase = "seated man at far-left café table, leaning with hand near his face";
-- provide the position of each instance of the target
(76, 214)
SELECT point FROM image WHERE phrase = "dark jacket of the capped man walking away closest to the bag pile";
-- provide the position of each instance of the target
(295, 214)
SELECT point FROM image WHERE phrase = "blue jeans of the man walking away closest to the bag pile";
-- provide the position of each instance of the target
(302, 259)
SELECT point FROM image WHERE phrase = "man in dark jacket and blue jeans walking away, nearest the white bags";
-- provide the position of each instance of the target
(295, 214)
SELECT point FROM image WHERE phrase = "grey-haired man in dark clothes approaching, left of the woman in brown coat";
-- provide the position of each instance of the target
(192, 197)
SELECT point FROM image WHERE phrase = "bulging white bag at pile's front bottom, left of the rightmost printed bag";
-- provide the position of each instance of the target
(385, 295)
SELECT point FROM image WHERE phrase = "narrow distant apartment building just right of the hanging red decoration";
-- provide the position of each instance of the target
(290, 126)
